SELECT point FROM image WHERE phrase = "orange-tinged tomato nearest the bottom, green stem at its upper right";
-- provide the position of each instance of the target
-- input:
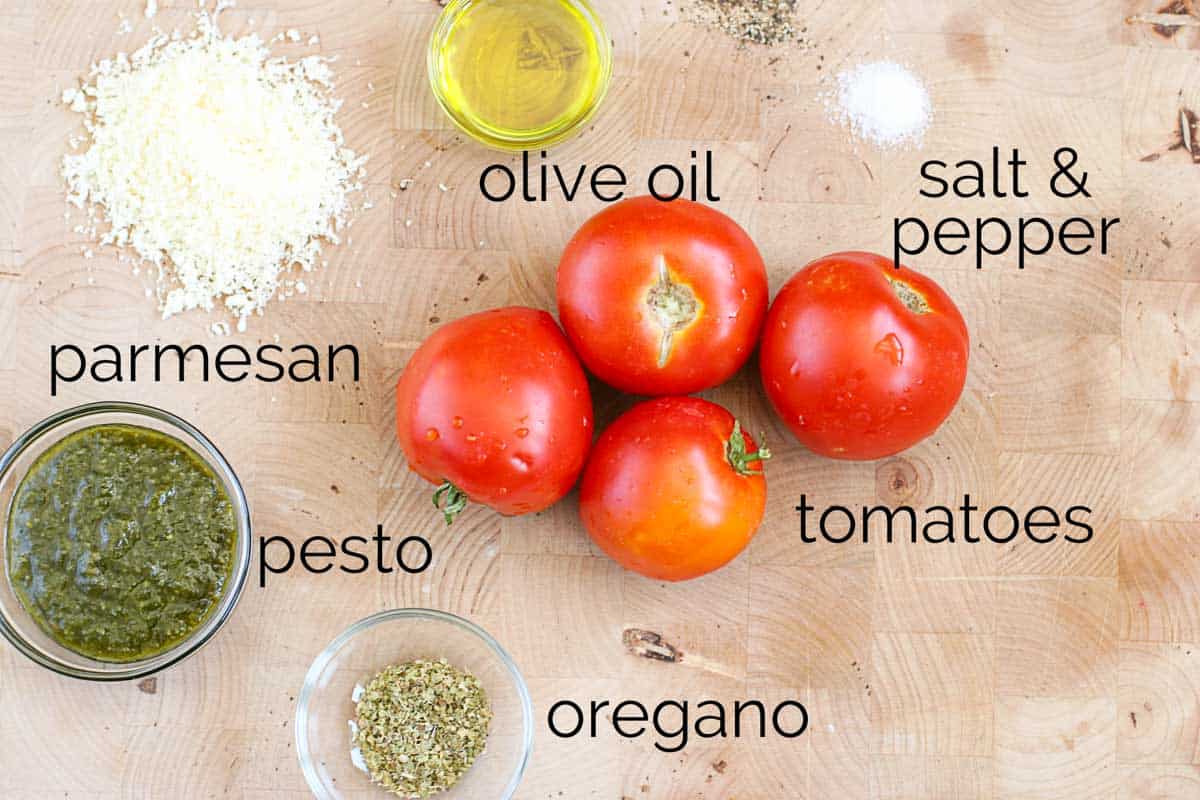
(674, 489)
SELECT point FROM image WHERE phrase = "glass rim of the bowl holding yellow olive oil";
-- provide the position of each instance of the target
(517, 145)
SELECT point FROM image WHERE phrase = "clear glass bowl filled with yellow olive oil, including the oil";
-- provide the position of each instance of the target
(520, 75)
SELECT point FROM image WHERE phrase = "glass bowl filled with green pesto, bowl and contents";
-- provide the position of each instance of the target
(127, 542)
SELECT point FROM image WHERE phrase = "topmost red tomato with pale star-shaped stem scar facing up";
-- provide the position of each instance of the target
(662, 298)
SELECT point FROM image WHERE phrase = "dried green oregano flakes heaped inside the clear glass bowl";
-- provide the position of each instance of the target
(421, 727)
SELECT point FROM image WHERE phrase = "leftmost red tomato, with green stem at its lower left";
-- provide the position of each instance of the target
(496, 408)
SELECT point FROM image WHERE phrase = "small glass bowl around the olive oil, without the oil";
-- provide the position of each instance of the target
(497, 137)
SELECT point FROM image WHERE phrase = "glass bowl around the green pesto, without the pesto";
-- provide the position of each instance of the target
(20, 628)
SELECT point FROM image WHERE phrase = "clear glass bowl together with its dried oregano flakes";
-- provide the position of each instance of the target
(415, 643)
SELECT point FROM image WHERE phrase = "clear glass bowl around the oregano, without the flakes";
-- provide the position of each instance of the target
(327, 706)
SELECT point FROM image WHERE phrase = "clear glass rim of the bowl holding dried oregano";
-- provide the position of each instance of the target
(301, 727)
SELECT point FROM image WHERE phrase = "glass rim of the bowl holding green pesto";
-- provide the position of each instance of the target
(196, 440)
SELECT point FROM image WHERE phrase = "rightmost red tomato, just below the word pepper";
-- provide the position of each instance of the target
(862, 360)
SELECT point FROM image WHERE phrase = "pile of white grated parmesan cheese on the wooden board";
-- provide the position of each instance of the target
(218, 164)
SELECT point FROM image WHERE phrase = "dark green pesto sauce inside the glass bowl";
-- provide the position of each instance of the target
(121, 543)
